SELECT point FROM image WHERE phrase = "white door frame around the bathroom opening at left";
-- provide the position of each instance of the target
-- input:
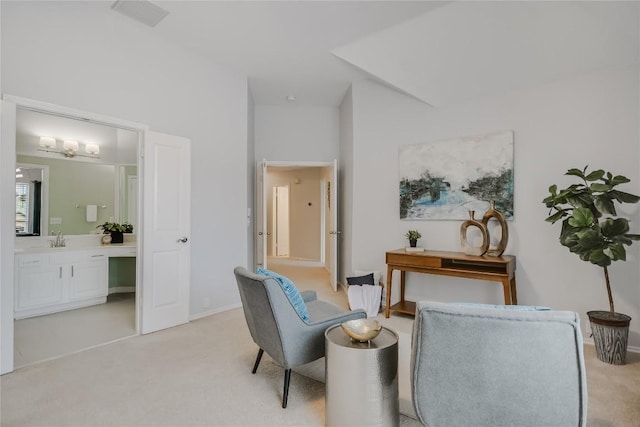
(7, 154)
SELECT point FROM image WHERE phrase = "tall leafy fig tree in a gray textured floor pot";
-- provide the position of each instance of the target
(592, 229)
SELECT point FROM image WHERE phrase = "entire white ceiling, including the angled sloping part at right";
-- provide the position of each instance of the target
(438, 52)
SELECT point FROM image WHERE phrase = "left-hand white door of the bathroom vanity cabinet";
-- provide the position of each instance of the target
(39, 286)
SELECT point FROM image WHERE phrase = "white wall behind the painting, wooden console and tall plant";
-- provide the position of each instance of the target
(586, 120)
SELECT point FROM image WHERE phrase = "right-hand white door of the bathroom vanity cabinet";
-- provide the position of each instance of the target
(88, 279)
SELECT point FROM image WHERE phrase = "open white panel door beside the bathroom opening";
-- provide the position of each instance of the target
(166, 230)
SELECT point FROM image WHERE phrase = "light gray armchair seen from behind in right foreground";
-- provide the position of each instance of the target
(495, 367)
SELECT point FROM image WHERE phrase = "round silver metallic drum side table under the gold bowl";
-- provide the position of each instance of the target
(361, 379)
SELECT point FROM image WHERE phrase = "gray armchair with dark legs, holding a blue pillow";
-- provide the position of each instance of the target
(277, 328)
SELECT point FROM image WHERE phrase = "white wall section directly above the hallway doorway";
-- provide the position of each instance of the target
(297, 133)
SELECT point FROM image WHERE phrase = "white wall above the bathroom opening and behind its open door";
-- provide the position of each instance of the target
(78, 55)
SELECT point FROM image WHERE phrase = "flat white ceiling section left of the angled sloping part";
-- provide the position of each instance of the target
(284, 47)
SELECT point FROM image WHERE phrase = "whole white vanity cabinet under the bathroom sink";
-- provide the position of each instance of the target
(51, 282)
